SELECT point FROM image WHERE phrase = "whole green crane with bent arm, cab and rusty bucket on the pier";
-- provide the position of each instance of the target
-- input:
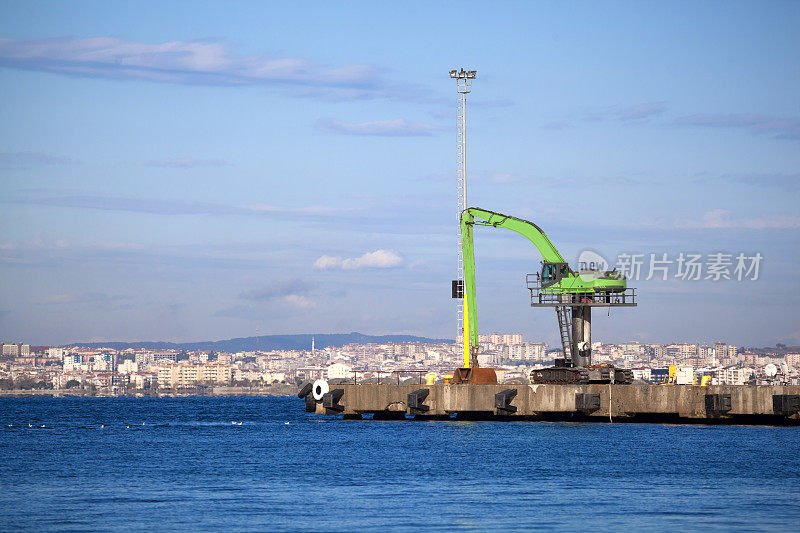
(558, 281)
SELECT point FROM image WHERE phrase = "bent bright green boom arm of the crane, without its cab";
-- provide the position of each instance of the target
(482, 217)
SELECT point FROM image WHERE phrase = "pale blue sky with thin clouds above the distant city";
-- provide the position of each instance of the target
(192, 171)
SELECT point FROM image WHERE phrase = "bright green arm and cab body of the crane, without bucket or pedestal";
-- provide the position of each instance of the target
(557, 277)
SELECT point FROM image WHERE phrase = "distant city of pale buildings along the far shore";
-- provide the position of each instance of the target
(135, 369)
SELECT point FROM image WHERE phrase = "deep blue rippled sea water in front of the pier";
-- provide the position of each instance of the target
(179, 463)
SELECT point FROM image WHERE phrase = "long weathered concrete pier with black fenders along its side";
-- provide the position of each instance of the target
(778, 405)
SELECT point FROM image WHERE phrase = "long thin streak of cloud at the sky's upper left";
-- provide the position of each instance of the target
(201, 62)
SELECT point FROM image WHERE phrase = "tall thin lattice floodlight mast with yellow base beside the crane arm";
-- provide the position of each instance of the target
(464, 85)
